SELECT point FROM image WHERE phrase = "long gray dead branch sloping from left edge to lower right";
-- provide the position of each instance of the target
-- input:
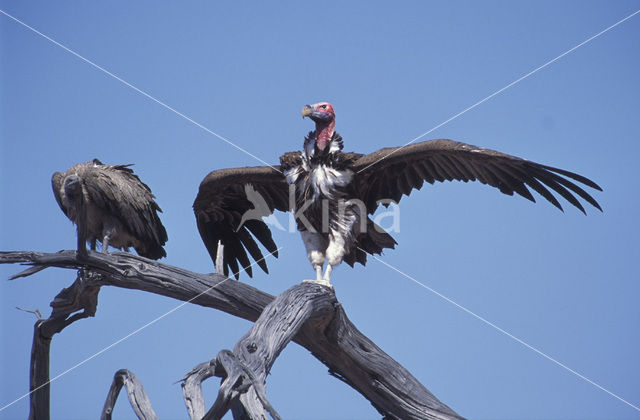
(350, 355)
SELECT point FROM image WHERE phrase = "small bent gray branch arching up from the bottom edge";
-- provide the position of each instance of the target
(137, 397)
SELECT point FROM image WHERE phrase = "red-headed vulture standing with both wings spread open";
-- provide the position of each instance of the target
(335, 192)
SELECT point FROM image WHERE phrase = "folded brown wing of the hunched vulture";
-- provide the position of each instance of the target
(118, 190)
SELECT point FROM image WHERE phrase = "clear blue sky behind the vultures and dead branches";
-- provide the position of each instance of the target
(564, 283)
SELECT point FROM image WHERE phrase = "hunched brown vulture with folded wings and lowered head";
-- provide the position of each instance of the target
(109, 203)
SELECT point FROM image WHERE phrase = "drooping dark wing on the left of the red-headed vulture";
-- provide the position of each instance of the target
(224, 197)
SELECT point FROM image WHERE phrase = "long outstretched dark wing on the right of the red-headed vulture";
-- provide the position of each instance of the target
(391, 172)
